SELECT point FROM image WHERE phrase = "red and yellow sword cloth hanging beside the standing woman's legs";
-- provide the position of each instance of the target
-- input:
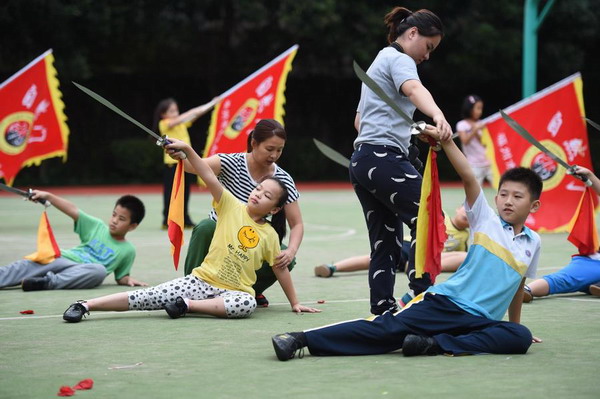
(431, 230)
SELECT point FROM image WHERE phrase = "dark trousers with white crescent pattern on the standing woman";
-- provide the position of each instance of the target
(389, 189)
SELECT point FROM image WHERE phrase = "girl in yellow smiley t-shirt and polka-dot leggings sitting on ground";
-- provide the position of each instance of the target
(222, 286)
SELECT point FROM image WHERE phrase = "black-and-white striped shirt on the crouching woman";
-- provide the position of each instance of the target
(236, 178)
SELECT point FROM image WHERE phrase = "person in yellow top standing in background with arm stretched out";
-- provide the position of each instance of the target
(169, 122)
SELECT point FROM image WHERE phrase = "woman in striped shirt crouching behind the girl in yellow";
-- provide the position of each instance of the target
(239, 173)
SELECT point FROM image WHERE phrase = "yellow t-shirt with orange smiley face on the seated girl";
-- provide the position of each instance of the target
(238, 248)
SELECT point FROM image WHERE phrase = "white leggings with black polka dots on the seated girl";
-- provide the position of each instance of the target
(238, 304)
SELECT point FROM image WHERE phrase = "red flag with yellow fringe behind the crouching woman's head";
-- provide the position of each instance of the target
(259, 96)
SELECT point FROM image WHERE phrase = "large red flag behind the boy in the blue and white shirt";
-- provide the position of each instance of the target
(554, 116)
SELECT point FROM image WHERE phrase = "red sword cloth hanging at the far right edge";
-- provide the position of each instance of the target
(583, 231)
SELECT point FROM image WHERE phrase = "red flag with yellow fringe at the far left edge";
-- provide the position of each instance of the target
(32, 120)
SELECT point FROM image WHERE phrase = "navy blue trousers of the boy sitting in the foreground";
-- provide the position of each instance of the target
(456, 331)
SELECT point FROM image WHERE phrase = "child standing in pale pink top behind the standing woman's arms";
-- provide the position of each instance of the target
(469, 131)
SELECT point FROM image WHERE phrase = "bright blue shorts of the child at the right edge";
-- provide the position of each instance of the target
(576, 276)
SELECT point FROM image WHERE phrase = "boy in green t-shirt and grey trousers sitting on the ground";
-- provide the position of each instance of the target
(103, 250)
